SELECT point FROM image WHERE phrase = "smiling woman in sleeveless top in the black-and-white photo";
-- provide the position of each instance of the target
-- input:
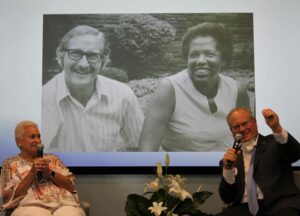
(188, 110)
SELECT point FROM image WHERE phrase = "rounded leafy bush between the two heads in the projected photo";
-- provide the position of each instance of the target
(141, 38)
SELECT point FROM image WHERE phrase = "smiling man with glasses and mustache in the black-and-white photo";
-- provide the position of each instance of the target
(83, 111)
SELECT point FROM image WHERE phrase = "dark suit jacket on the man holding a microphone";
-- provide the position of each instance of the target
(273, 174)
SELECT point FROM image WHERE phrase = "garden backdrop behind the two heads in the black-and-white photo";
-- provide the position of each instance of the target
(150, 45)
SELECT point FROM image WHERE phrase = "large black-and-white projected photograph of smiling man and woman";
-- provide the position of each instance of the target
(145, 82)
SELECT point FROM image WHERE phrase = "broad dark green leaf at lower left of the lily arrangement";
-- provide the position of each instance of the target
(137, 205)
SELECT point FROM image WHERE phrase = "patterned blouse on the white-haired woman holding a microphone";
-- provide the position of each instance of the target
(44, 193)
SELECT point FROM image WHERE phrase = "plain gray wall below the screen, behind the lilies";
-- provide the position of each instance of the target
(107, 193)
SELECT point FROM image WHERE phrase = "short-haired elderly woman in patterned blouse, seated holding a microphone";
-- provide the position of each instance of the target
(51, 193)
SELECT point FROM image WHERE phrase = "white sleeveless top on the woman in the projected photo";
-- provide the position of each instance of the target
(192, 126)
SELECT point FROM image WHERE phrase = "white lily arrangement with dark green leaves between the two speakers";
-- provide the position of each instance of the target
(167, 197)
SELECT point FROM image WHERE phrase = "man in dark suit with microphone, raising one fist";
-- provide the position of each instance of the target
(258, 180)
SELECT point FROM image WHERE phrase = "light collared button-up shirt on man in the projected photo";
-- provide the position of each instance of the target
(111, 120)
